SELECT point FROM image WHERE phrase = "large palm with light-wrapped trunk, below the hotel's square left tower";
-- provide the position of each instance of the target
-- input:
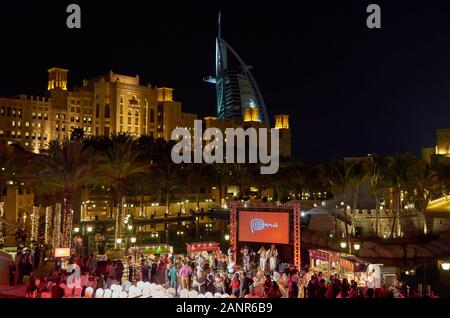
(67, 167)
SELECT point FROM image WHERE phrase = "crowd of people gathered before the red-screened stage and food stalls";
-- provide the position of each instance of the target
(259, 276)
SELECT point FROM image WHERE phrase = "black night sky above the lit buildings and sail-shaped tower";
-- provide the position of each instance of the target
(349, 90)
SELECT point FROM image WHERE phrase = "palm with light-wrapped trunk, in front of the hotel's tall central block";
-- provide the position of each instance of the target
(118, 163)
